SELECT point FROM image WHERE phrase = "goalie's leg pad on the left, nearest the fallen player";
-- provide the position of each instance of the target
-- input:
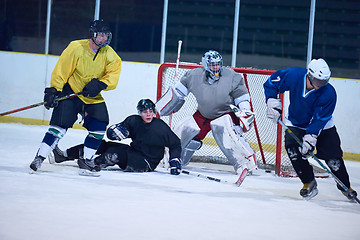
(186, 130)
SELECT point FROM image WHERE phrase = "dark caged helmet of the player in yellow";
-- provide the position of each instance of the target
(98, 29)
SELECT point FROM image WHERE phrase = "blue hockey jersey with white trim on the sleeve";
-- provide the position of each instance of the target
(310, 110)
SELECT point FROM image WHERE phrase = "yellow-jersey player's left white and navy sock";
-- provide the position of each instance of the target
(50, 140)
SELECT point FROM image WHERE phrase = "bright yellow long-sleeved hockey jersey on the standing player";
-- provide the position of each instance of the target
(77, 66)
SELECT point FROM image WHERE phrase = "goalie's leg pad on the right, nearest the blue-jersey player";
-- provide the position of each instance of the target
(232, 144)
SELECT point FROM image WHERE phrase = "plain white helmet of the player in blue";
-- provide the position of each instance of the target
(318, 72)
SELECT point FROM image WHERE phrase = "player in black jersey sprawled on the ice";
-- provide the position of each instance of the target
(149, 137)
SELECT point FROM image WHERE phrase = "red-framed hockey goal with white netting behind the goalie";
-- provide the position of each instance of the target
(266, 138)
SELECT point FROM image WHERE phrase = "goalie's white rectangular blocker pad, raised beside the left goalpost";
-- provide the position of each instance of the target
(170, 102)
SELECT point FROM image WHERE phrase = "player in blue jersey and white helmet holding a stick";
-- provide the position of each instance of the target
(312, 103)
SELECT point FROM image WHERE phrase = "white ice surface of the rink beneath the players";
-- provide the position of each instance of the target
(58, 204)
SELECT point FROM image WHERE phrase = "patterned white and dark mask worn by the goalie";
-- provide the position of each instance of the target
(213, 64)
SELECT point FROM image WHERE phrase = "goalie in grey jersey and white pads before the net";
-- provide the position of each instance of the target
(215, 89)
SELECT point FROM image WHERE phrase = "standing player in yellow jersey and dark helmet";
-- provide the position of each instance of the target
(88, 66)
